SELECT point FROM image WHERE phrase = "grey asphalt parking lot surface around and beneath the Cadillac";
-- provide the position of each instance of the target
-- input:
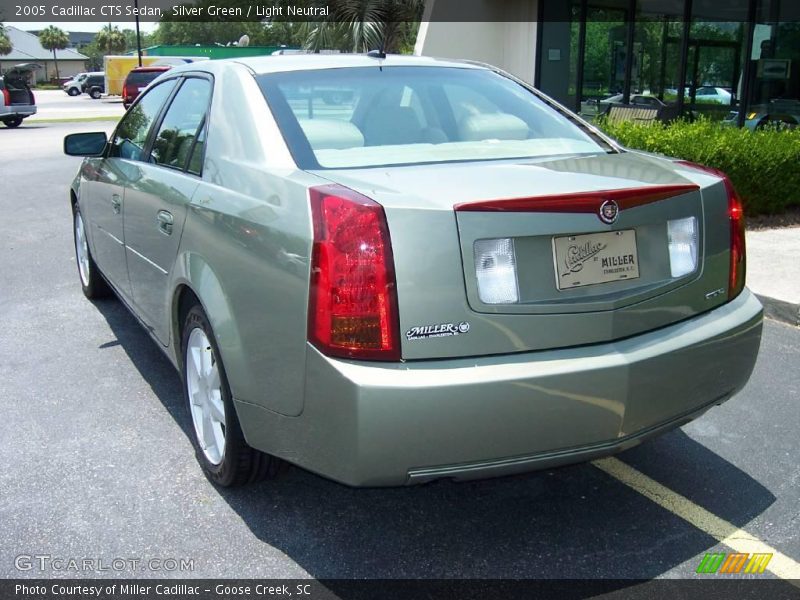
(97, 461)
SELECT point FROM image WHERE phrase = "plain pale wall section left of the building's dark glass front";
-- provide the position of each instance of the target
(499, 33)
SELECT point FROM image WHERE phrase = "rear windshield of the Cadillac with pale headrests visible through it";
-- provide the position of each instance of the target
(372, 116)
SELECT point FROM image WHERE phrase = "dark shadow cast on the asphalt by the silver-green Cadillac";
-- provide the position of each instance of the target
(572, 522)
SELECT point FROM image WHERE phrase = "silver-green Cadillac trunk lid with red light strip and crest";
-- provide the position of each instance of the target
(439, 215)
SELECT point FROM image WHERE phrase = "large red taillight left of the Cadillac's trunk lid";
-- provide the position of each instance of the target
(352, 308)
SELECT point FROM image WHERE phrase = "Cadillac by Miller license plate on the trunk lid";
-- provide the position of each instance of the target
(595, 258)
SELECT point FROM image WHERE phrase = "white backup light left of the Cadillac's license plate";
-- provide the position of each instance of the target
(496, 271)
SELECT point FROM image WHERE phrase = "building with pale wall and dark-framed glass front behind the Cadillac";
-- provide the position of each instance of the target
(723, 58)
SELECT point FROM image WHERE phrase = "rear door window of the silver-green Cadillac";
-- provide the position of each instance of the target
(181, 125)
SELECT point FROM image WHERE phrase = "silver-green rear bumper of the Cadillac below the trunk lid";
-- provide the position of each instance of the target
(373, 424)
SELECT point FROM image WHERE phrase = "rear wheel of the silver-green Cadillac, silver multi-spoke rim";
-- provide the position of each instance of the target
(220, 446)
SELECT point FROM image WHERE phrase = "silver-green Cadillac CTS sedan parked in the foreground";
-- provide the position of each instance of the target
(444, 275)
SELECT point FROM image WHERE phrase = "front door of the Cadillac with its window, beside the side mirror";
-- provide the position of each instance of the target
(106, 193)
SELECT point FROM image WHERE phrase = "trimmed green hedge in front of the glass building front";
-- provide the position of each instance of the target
(764, 165)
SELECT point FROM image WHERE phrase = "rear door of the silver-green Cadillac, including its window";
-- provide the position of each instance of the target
(156, 203)
